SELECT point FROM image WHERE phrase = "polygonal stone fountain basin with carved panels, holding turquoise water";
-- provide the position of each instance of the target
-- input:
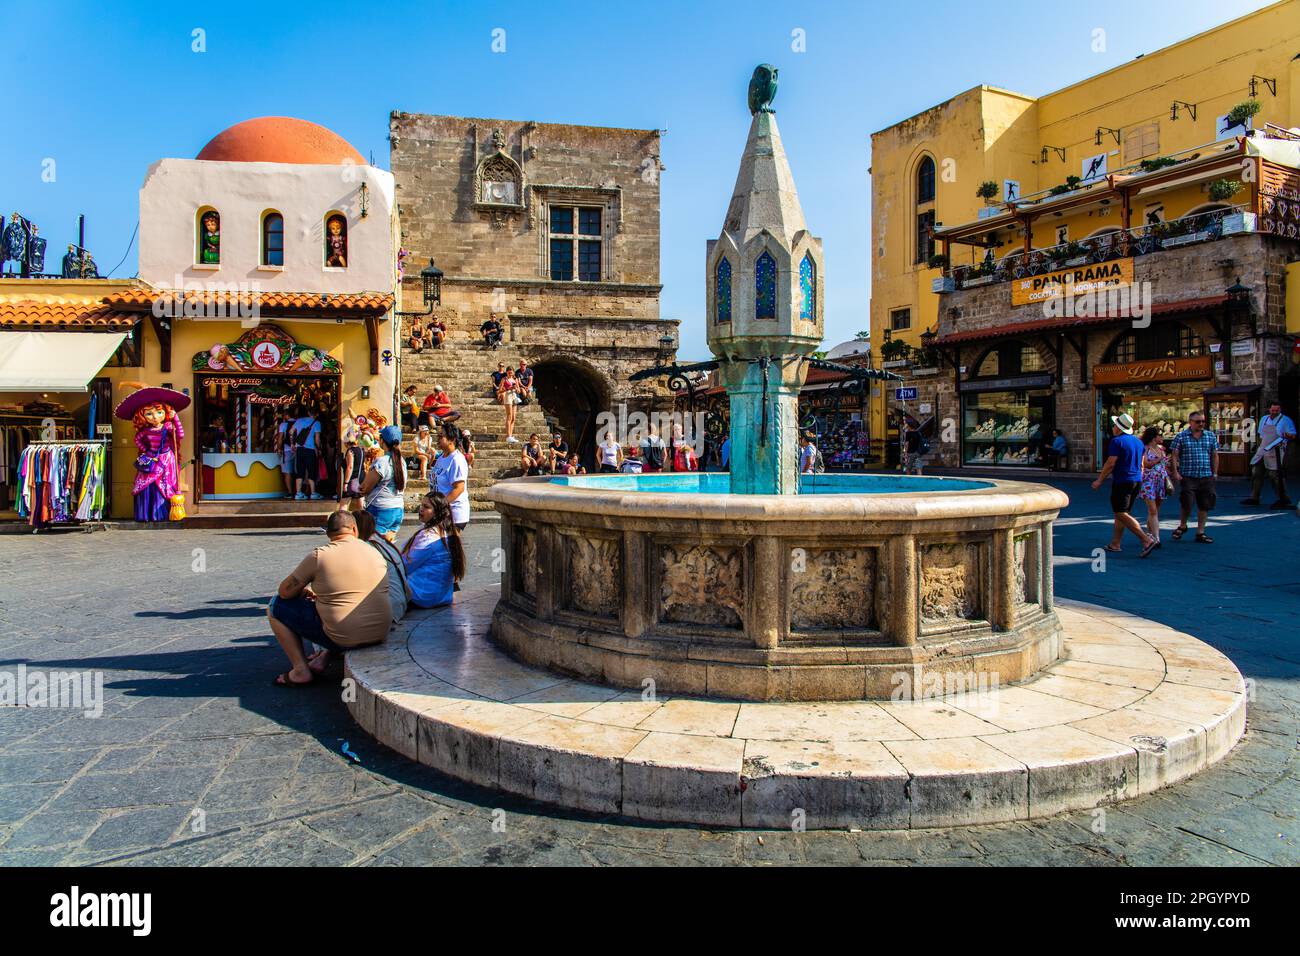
(861, 587)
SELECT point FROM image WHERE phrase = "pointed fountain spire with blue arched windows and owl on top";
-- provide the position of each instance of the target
(764, 280)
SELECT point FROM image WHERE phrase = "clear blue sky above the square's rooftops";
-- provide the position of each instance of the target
(106, 89)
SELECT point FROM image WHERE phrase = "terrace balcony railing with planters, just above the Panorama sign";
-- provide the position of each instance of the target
(1121, 244)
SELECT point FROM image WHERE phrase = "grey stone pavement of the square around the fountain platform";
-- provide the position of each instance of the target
(176, 622)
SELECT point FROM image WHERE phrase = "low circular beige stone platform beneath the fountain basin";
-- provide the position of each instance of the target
(1132, 707)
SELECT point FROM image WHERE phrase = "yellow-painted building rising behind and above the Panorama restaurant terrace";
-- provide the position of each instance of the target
(1061, 170)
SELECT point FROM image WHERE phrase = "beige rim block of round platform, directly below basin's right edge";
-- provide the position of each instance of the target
(1071, 769)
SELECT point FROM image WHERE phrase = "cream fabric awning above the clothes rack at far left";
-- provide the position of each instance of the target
(54, 361)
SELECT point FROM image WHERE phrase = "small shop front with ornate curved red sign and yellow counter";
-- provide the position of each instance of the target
(244, 392)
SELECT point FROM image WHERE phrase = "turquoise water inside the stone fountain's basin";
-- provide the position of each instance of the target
(720, 483)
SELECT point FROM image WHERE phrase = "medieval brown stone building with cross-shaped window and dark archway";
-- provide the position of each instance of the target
(553, 230)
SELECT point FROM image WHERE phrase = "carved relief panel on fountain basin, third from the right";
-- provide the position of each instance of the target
(833, 589)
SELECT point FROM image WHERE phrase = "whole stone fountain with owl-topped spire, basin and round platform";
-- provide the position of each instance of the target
(761, 648)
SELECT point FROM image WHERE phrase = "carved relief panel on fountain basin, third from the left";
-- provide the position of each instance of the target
(703, 585)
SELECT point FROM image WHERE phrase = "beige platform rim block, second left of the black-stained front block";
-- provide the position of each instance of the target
(567, 763)
